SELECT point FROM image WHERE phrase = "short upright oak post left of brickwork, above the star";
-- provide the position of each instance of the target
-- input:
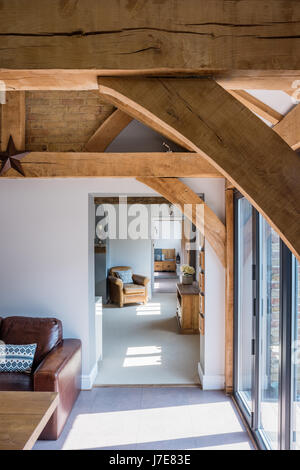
(13, 120)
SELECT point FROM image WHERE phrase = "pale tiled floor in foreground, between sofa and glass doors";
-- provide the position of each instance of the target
(152, 418)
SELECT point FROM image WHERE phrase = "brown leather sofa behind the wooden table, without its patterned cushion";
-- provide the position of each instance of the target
(56, 366)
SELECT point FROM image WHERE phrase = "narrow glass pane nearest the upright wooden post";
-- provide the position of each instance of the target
(245, 301)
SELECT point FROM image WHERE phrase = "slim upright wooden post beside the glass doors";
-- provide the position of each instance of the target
(229, 193)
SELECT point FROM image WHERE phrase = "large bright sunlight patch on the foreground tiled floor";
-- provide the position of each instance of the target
(118, 428)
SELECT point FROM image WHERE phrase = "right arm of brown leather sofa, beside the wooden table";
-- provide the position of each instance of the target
(60, 372)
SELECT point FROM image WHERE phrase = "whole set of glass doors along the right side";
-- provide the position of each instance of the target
(266, 331)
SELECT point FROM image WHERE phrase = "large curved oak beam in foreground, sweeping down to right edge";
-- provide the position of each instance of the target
(228, 135)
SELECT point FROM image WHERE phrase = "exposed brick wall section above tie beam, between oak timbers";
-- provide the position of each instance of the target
(62, 121)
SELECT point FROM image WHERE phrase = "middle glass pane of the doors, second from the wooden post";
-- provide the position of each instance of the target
(269, 351)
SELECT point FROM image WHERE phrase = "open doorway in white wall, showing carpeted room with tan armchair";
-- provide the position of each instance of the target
(142, 340)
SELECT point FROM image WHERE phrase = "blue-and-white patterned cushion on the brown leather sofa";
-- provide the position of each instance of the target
(16, 358)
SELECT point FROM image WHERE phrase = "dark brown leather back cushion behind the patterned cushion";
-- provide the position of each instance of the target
(46, 332)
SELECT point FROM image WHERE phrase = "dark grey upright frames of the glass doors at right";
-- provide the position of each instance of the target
(286, 331)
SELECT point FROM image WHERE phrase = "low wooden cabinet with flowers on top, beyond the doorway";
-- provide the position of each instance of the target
(188, 308)
